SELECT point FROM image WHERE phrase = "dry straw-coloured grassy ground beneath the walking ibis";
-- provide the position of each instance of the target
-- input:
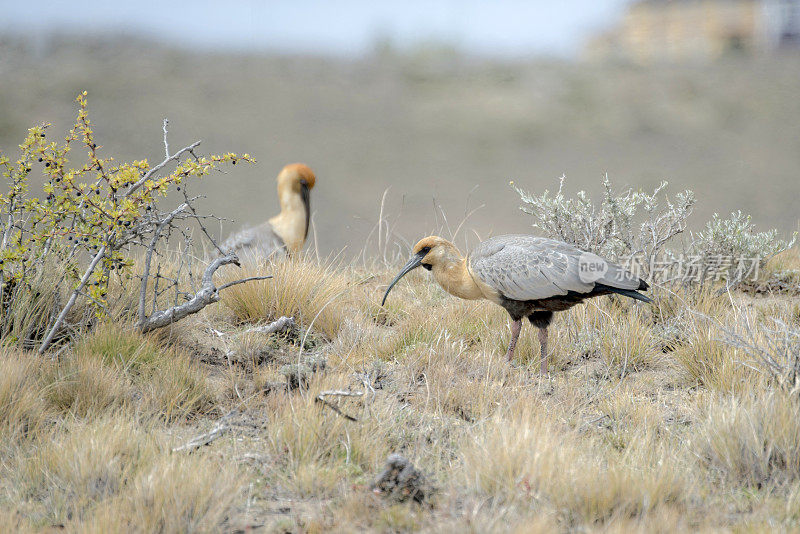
(649, 422)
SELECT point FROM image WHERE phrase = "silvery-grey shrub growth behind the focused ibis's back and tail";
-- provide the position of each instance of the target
(637, 228)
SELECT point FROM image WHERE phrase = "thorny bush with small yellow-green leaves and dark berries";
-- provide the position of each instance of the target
(99, 214)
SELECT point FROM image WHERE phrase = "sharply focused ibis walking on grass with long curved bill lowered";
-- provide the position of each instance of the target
(529, 276)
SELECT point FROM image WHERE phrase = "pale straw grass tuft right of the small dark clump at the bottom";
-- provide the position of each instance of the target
(526, 459)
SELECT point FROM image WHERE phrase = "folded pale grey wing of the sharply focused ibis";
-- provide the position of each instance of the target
(524, 267)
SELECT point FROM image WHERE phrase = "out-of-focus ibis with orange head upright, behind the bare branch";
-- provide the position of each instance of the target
(287, 231)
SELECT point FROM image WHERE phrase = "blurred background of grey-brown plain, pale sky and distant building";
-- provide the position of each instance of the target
(442, 102)
